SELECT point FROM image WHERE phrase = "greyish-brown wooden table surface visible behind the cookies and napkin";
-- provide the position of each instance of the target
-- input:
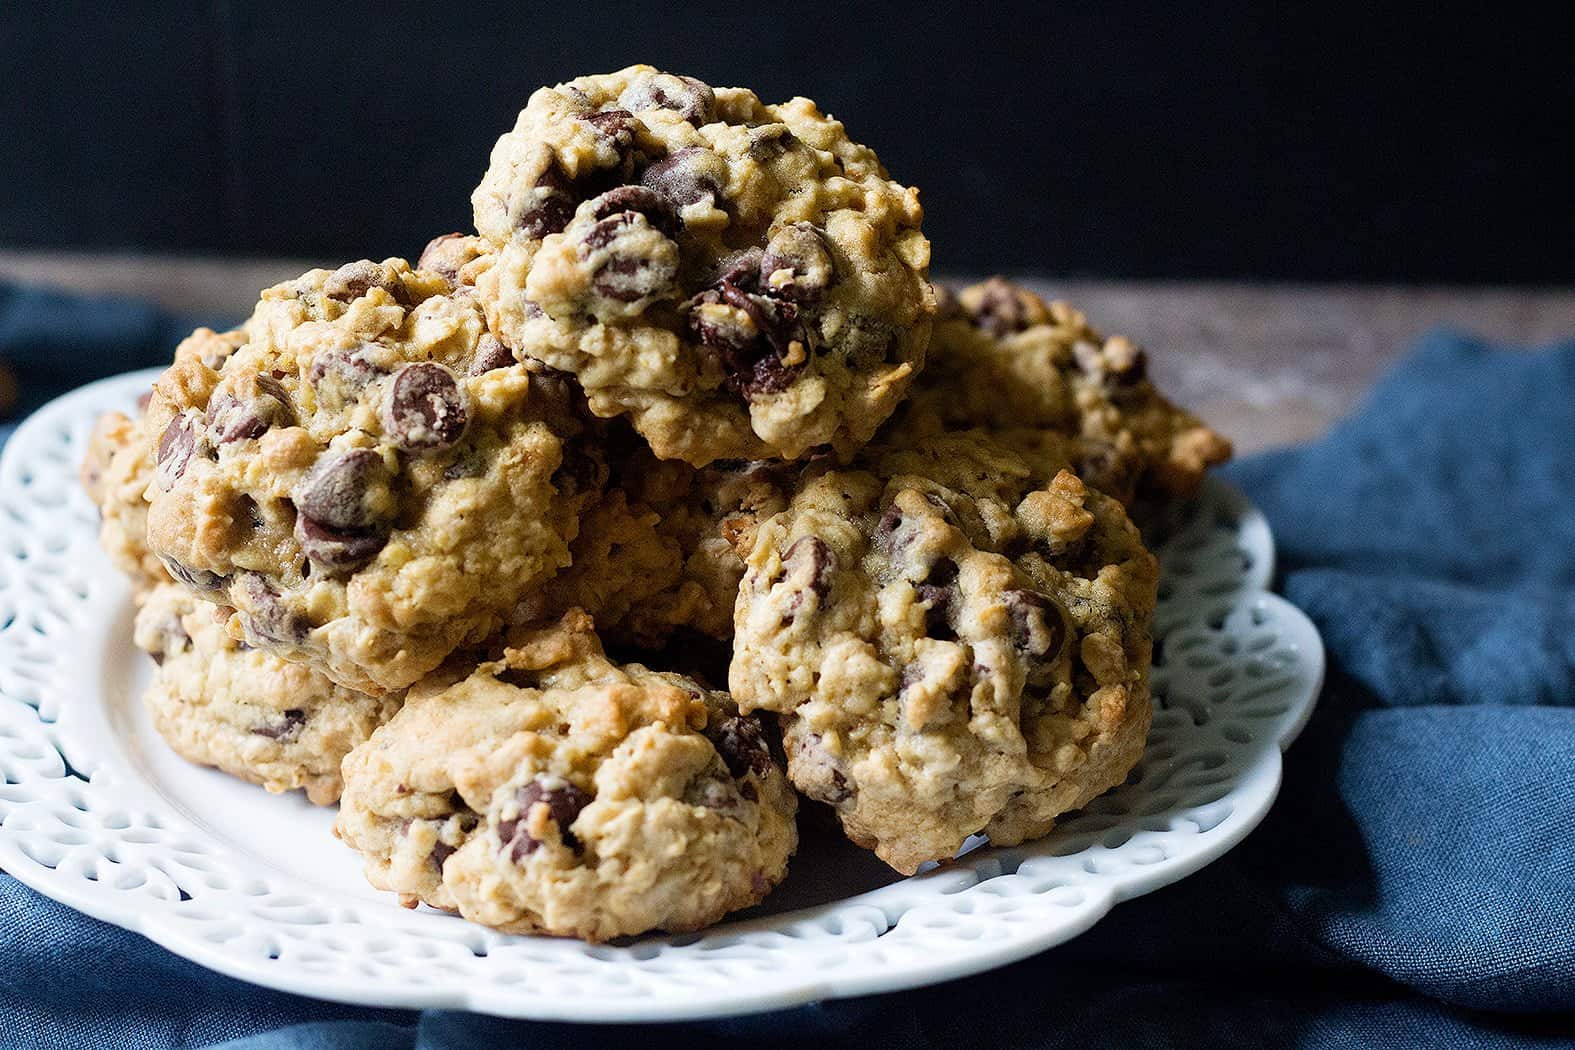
(1266, 364)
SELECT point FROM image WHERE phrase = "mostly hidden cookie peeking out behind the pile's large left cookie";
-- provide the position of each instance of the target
(119, 467)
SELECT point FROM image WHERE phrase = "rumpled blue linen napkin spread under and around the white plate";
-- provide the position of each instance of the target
(1415, 884)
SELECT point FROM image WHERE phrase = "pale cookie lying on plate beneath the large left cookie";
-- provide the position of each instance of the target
(224, 704)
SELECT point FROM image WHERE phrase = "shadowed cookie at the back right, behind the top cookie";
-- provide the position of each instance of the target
(1006, 360)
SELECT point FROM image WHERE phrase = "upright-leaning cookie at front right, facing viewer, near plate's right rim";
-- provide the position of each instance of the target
(957, 643)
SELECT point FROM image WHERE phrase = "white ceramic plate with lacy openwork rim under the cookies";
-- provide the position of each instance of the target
(97, 813)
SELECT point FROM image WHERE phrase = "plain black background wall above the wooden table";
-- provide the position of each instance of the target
(1151, 141)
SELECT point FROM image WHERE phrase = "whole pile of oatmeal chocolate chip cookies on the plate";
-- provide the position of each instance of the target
(573, 556)
